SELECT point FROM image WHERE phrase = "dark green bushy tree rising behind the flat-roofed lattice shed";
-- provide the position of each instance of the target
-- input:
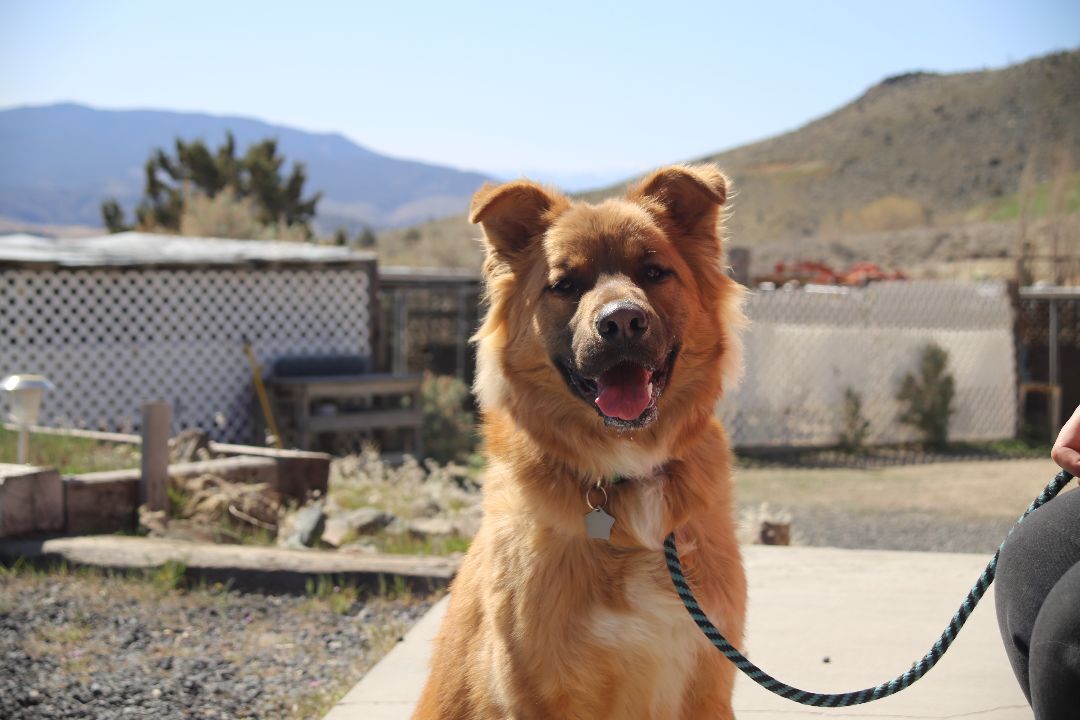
(195, 171)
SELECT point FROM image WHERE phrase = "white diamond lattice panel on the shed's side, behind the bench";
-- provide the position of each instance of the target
(111, 338)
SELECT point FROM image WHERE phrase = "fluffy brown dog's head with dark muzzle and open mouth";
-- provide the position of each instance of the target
(606, 319)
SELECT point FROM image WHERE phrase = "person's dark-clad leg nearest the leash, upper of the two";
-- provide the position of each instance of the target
(1036, 556)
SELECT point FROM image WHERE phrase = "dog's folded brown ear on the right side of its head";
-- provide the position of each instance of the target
(688, 196)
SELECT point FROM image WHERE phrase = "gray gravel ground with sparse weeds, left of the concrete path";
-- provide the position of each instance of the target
(79, 645)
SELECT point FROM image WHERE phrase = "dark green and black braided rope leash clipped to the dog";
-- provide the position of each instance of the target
(859, 697)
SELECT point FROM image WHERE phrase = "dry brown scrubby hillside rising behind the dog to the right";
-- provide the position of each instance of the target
(919, 151)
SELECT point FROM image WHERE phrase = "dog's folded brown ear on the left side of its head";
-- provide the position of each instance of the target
(515, 214)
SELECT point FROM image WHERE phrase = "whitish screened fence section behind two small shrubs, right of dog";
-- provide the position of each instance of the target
(806, 347)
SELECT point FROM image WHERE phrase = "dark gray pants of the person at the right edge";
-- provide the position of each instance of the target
(1037, 592)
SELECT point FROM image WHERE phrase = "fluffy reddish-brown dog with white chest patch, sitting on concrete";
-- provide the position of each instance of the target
(611, 331)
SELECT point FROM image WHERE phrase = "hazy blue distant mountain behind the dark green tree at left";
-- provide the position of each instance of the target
(61, 161)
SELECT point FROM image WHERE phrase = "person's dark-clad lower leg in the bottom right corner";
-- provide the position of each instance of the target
(1055, 656)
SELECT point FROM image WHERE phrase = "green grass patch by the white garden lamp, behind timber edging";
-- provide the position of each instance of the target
(71, 456)
